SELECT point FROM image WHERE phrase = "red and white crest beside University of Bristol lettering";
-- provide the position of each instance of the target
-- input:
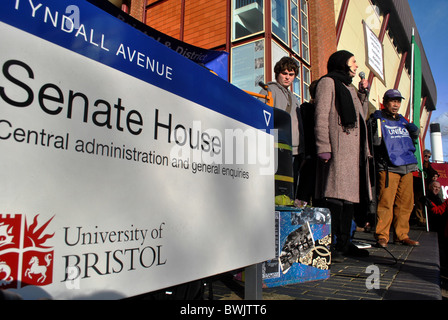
(24, 258)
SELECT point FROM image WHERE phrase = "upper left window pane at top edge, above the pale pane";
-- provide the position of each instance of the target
(247, 18)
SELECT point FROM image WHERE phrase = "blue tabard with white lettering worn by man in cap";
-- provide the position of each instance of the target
(399, 144)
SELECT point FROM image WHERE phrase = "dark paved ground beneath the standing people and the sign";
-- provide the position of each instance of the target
(405, 273)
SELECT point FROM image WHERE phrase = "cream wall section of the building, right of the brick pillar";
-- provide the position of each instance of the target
(391, 22)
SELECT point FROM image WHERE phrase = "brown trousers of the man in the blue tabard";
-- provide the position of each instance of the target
(395, 204)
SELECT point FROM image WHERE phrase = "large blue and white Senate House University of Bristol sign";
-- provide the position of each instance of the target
(126, 167)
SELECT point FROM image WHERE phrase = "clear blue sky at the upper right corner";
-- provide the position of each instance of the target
(430, 17)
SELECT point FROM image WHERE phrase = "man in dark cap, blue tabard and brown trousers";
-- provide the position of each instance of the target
(394, 138)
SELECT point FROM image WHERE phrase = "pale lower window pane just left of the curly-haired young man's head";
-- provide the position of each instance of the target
(248, 66)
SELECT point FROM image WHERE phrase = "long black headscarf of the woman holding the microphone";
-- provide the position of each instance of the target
(338, 70)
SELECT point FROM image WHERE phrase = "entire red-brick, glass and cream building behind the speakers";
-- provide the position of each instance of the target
(257, 33)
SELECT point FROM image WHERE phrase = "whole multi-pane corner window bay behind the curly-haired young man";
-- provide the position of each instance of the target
(290, 29)
